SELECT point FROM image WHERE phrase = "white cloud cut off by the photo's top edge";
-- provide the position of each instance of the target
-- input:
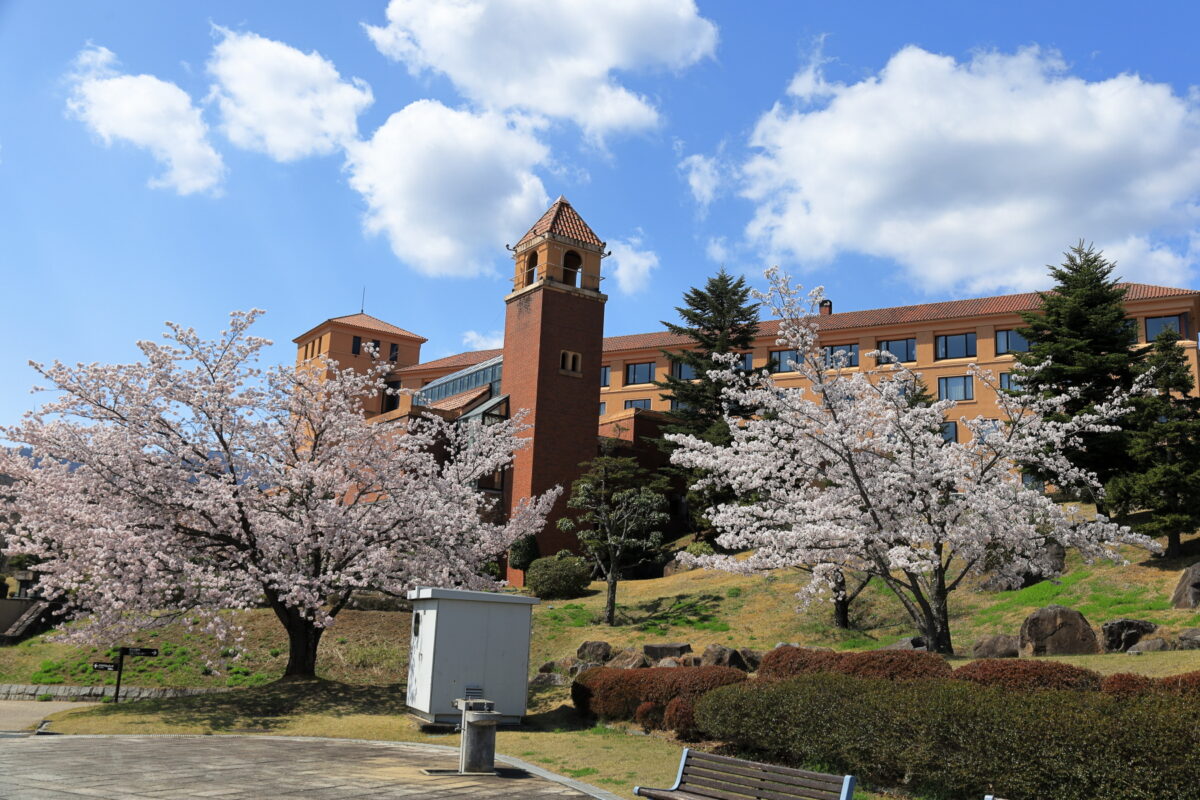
(555, 58)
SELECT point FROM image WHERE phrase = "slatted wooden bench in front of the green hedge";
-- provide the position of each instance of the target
(704, 777)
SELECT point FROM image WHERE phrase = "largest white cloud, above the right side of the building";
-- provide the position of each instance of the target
(974, 176)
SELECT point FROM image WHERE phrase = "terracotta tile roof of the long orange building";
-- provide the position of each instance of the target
(850, 320)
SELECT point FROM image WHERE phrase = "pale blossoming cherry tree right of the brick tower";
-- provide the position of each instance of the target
(844, 474)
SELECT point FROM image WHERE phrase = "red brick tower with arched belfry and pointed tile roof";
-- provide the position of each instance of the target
(554, 334)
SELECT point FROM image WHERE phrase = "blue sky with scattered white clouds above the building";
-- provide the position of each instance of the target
(178, 161)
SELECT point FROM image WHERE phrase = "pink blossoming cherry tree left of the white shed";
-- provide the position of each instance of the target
(197, 482)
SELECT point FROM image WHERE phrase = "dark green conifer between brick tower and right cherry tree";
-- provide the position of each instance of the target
(718, 320)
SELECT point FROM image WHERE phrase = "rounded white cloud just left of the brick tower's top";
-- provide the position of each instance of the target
(448, 188)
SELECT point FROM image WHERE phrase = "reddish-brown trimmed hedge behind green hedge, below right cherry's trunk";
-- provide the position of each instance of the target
(896, 665)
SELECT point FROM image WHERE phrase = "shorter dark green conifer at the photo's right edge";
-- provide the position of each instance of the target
(1165, 450)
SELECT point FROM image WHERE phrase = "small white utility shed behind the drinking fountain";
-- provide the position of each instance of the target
(469, 645)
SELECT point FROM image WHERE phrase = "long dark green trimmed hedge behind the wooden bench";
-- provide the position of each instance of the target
(958, 739)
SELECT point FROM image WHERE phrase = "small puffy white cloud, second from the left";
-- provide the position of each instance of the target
(278, 100)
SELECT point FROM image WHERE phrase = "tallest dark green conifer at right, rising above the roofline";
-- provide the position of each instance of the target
(1091, 345)
